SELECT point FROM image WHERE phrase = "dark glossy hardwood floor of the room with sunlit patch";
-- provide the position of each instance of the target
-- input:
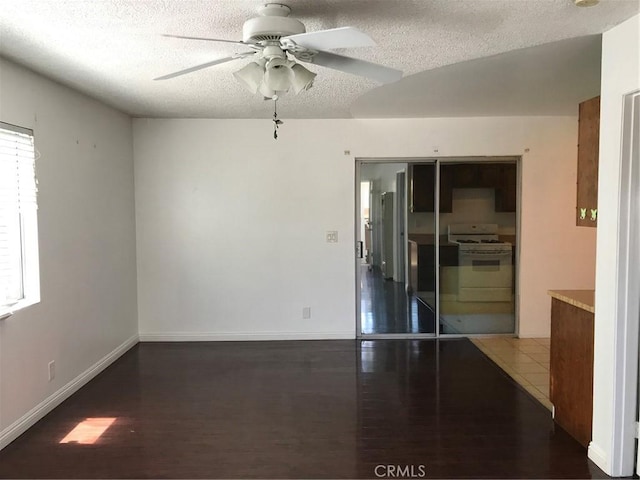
(312, 409)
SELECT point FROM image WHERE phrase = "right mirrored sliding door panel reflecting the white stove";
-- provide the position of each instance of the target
(477, 239)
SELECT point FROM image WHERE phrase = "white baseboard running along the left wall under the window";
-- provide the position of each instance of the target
(21, 425)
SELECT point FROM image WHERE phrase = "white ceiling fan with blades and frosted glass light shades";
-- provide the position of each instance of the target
(277, 43)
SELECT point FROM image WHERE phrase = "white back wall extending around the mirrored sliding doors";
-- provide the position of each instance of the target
(231, 234)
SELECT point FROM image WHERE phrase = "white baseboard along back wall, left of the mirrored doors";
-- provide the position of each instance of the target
(242, 337)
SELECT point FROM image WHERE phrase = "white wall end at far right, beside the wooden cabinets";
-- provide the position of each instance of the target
(620, 75)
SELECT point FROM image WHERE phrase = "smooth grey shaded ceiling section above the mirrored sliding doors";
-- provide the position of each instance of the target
(549, 79)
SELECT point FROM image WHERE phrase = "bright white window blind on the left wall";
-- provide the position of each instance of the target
(17, 198)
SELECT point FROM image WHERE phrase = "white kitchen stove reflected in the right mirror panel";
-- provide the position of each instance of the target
(484, 262)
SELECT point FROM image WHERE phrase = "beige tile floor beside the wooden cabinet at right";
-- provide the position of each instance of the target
(526, 360)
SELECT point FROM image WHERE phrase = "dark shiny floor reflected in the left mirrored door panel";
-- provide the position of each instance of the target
(385, 307)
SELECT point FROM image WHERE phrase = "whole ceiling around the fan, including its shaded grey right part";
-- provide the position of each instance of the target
(112, 49)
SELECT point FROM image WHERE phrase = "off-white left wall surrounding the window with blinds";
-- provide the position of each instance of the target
(87, 313)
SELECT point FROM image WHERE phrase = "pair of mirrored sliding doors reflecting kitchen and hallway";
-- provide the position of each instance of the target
(422, 278)
